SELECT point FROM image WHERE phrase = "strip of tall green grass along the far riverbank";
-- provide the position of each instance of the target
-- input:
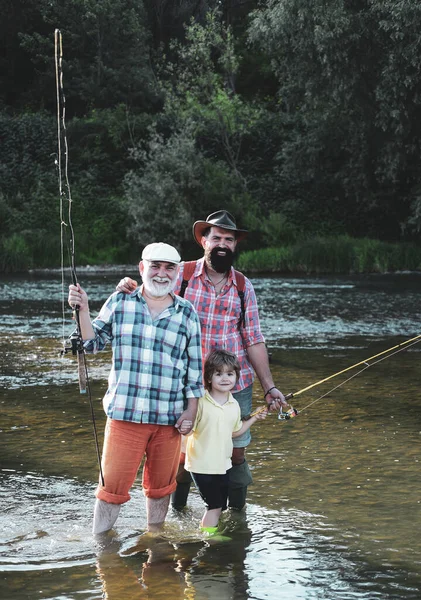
(340, 255)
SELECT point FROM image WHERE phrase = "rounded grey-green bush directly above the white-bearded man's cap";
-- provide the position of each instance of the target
(173, 185)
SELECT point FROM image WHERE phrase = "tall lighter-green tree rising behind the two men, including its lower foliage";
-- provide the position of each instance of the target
(194, 162)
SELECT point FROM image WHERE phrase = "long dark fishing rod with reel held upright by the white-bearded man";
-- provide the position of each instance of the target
(76, 339)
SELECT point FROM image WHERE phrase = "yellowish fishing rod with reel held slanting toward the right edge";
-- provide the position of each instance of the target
(293, 412)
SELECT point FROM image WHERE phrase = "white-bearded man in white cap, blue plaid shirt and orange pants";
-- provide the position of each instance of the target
(153, 387)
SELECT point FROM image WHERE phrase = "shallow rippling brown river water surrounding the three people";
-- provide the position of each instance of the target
(334, 511)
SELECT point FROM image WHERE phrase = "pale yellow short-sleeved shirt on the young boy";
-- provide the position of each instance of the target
(209, 447)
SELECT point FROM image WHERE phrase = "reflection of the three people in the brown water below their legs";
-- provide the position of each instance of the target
(177, 568)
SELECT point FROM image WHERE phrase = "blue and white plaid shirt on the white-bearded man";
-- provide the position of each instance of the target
(156, 364)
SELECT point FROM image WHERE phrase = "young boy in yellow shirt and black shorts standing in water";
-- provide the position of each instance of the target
(209, 445)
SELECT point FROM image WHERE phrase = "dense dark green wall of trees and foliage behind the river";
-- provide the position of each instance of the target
(302, 118)
